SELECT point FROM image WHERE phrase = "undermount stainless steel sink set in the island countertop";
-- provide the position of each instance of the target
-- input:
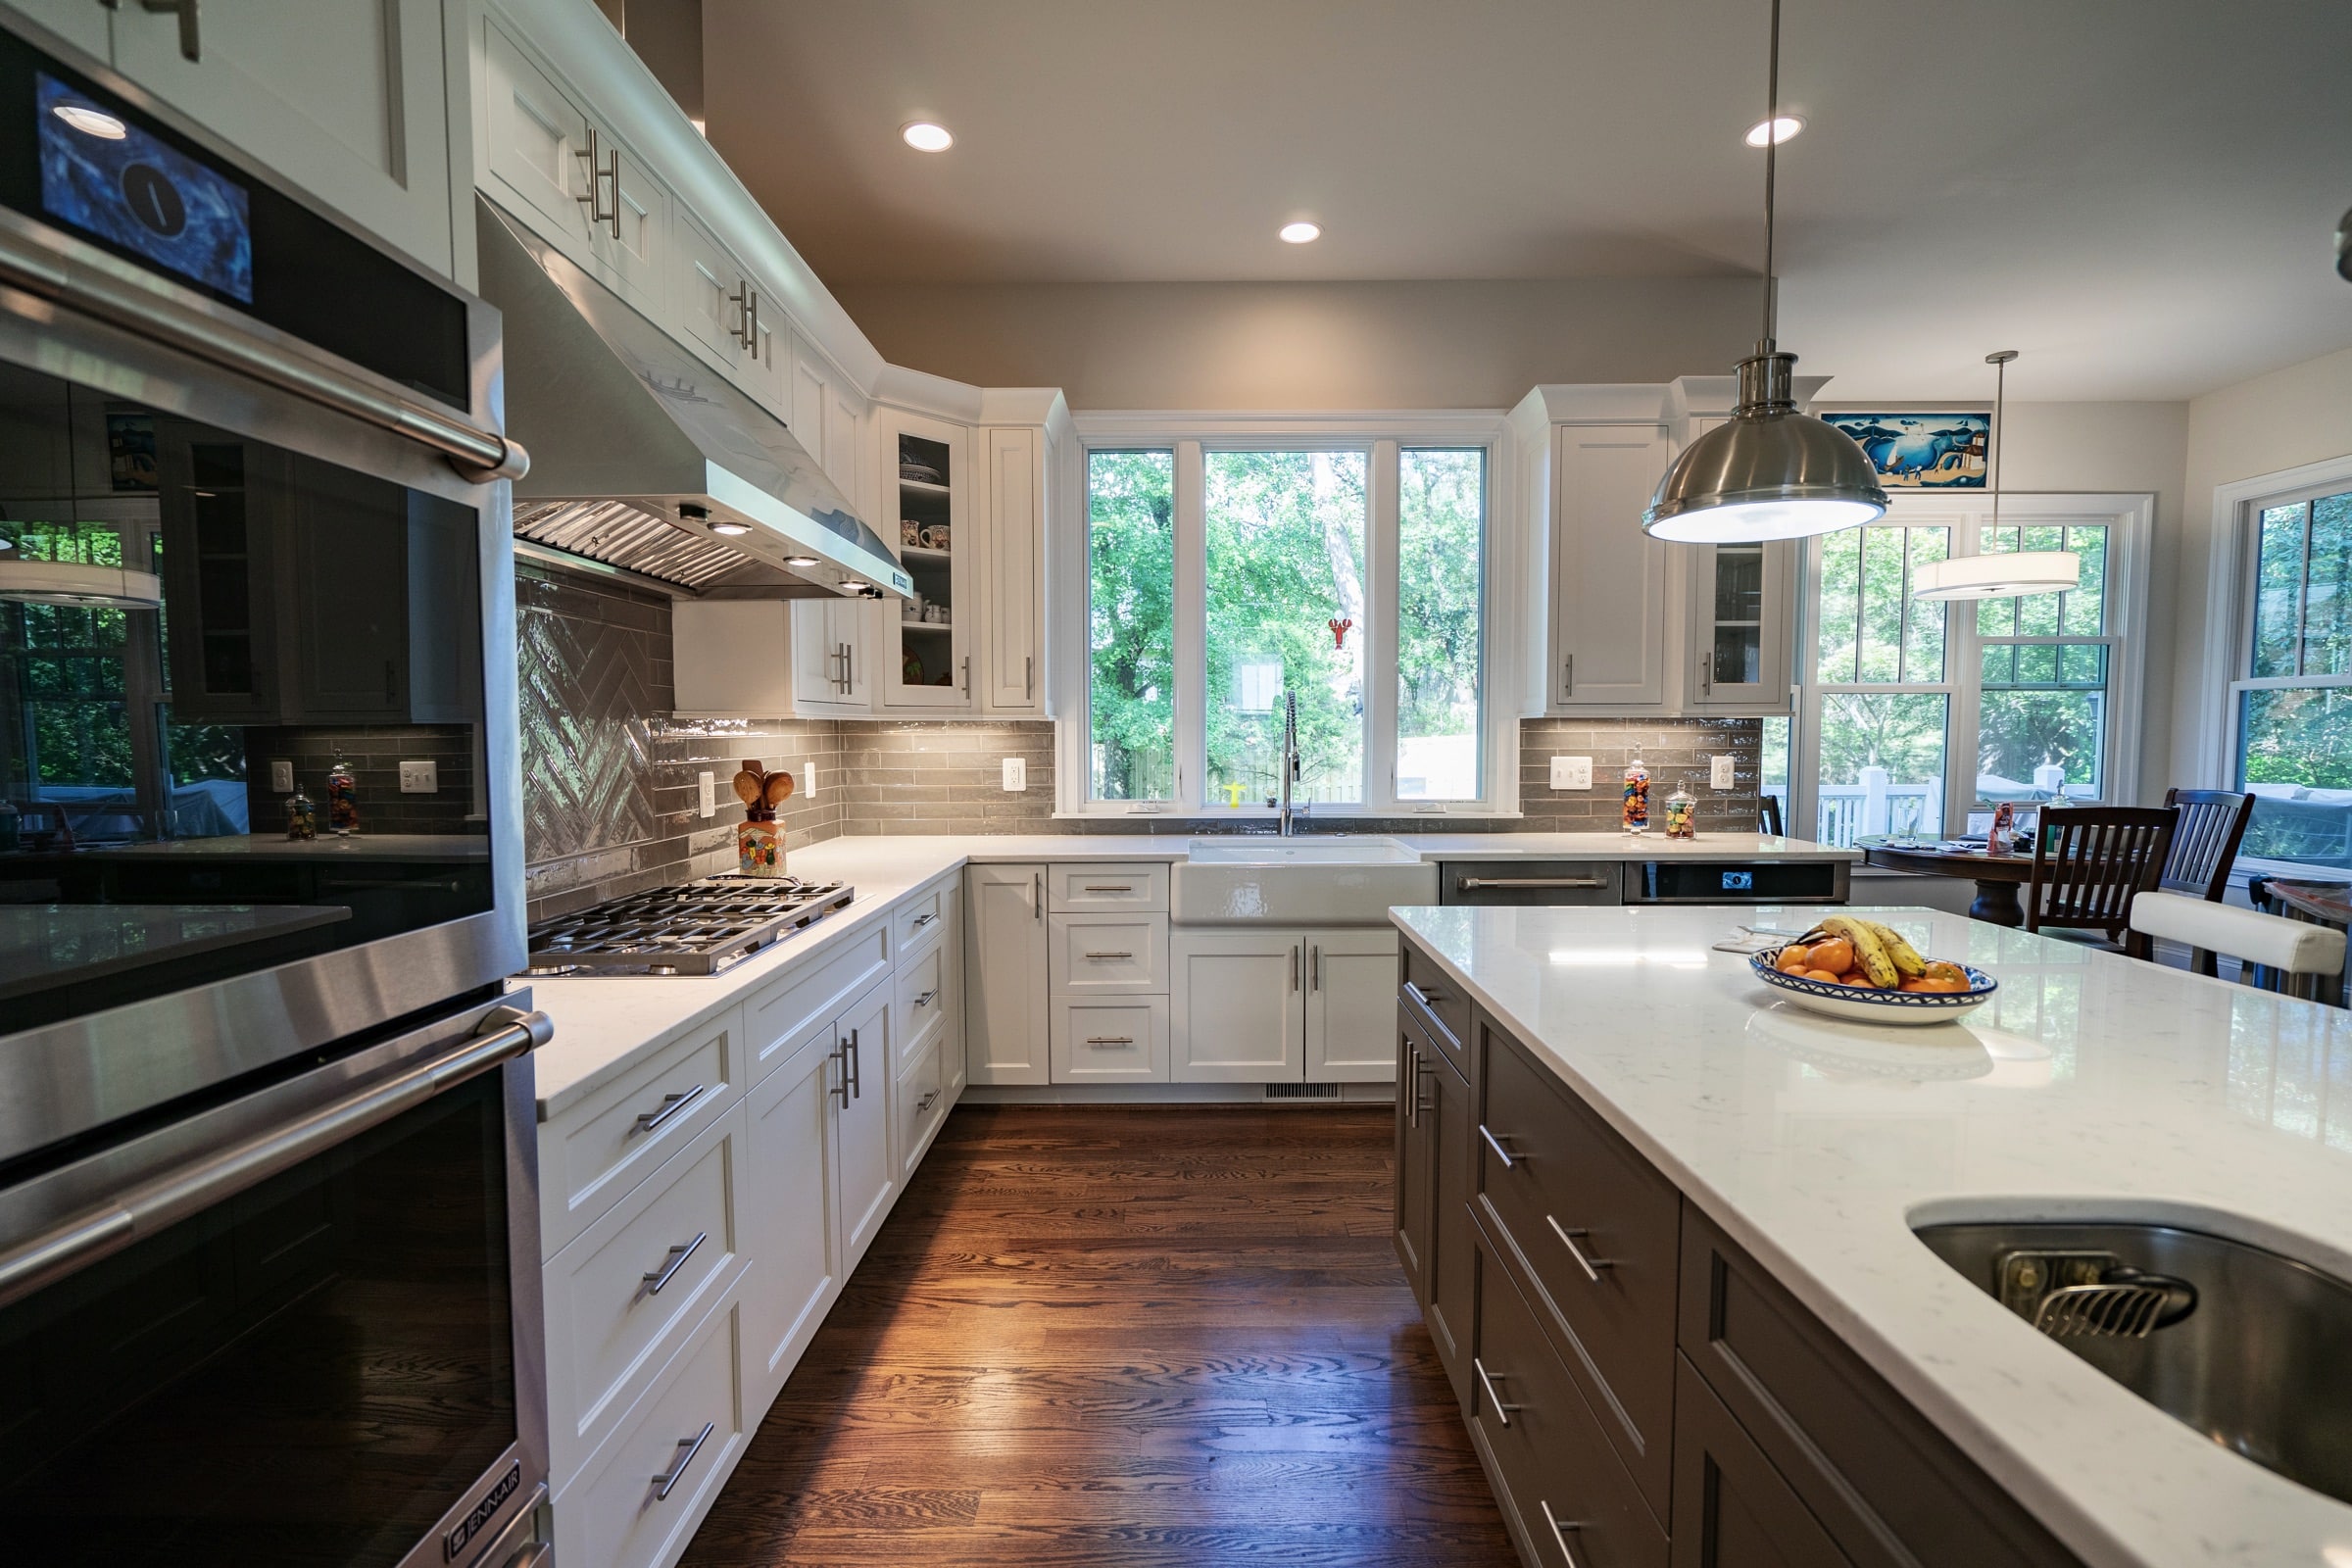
(2250, 1348)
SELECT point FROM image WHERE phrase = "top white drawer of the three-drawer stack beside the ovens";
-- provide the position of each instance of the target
(594, 1153)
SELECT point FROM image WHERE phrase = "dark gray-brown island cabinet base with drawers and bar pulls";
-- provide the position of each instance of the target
(1638, 1388)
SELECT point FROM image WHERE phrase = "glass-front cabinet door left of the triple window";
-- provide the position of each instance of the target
(926, 648)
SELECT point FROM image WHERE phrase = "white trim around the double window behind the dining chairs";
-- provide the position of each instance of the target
(2132, 528)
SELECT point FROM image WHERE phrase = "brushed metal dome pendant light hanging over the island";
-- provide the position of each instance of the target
(1770, 471)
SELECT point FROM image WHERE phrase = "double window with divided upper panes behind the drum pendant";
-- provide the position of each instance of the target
(1918, 713)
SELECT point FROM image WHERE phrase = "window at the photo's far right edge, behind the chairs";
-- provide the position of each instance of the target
(2292, 699)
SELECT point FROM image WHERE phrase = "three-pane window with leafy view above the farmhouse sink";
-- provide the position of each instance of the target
(1234, 582)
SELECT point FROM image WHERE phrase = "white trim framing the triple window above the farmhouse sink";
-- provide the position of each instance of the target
(1379, 434)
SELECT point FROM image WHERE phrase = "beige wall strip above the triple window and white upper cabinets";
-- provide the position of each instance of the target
(1309, 347)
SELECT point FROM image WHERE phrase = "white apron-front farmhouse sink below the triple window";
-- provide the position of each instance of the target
(1314, 883)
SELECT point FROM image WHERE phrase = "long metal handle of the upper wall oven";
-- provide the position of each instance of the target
(121, 302)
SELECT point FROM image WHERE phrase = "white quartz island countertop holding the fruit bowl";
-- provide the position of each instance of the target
(2092, 1087)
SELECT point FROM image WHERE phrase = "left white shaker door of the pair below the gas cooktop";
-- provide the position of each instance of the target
(791, 1212)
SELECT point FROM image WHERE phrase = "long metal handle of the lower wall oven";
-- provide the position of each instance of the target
(171, 1198)
